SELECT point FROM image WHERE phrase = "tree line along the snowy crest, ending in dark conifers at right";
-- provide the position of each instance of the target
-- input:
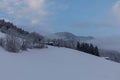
(84, 47)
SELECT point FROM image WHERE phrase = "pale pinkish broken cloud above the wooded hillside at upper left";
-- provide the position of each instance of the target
(25, 11)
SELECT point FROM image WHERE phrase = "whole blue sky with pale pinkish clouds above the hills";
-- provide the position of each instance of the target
(81, 17)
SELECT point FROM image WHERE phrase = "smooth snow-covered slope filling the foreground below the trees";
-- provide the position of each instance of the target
(56, 64)
